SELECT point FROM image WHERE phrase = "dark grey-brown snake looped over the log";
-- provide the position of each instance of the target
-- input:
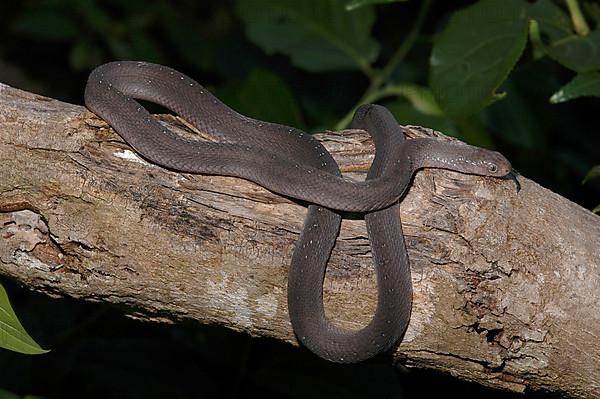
(294, 164)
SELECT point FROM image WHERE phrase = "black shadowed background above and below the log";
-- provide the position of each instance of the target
(49, 47)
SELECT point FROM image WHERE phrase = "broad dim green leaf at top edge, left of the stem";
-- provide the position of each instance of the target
(318, 35)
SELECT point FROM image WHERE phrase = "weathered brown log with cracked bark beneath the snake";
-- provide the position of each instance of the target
(506, 284)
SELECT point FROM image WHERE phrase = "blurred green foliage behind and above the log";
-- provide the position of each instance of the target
(468, 63)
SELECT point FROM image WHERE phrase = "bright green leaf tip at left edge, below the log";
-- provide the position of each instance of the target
(12, 334)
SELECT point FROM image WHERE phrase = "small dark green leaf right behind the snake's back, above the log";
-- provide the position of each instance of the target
(265, 96)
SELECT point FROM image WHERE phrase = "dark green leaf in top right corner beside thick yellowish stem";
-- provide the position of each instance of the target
(556, 37)
